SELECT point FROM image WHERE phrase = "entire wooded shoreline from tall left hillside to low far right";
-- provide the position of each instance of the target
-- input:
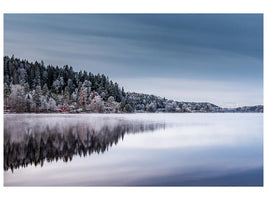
(34, 87)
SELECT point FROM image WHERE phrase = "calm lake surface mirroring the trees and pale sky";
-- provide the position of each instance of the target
(219, 149)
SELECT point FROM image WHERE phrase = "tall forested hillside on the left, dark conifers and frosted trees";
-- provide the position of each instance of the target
(34, 87)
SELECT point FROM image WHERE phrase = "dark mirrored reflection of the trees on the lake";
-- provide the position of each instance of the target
(33, 143)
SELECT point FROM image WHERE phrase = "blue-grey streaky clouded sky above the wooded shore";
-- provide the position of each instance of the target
(216, 58)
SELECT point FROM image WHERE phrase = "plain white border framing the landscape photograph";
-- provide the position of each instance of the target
(123, 6)
